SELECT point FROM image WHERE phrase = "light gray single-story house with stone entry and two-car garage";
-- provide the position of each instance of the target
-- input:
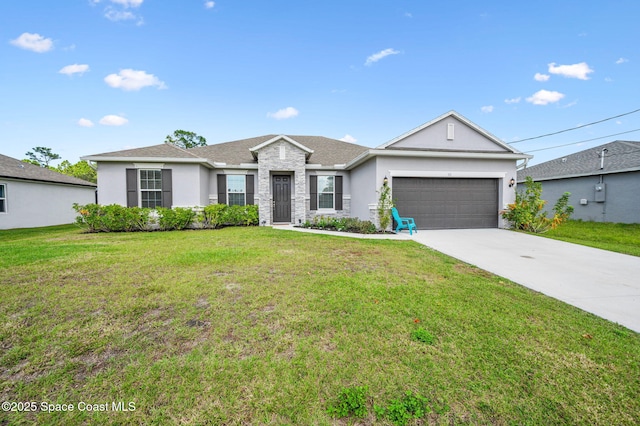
(448, 173)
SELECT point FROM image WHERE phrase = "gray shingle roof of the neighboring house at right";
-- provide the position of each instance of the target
(620, 156)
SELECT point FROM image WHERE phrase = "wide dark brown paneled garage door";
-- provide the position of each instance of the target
(438, 203)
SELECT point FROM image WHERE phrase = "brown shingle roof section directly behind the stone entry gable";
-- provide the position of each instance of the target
(326, 151)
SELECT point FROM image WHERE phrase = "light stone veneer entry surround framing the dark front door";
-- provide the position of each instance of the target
(270, 163)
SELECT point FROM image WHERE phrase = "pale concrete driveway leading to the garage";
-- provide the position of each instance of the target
(604, 283)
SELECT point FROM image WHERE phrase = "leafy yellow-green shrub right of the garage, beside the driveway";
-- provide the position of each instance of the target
(527, 213)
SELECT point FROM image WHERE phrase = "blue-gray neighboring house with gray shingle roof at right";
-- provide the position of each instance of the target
(603, 182)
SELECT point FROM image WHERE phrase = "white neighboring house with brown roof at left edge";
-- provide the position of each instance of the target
(32, 196)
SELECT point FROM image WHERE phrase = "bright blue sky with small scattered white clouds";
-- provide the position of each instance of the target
(87, 76)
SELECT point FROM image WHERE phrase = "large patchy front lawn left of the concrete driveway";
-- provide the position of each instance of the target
(263, 326)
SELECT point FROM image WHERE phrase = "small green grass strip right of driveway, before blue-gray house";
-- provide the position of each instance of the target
(618, 237)
